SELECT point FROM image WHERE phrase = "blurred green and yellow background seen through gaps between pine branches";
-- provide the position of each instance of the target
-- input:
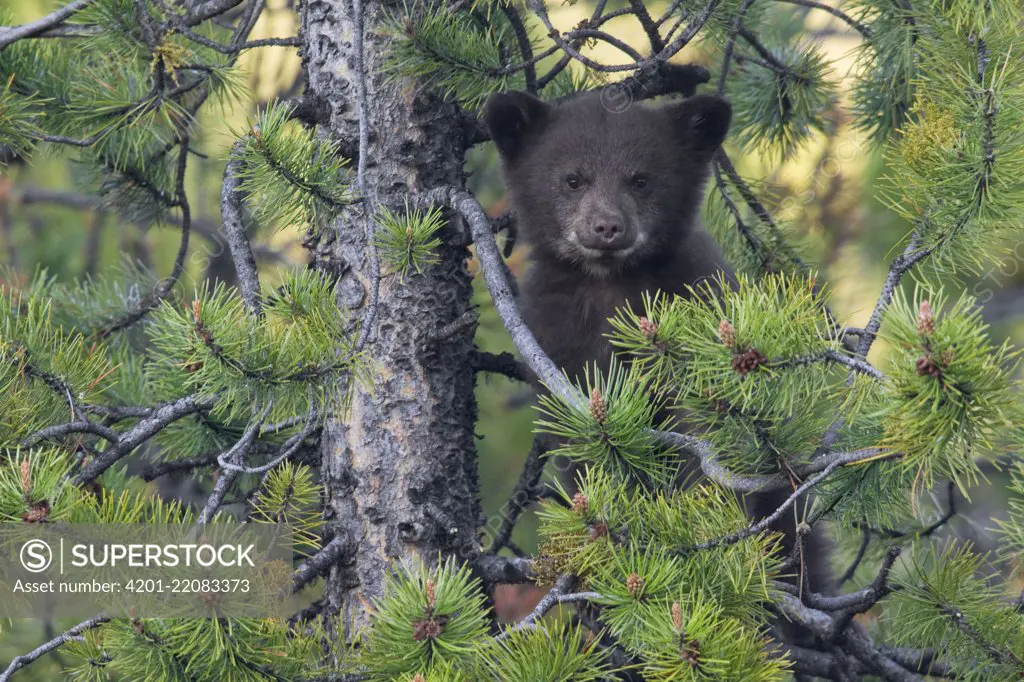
(825, 197)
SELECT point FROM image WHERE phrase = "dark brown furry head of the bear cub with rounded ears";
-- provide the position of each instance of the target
(606, 191)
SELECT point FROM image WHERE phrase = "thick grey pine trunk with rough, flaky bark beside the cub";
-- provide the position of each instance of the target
(400, 467)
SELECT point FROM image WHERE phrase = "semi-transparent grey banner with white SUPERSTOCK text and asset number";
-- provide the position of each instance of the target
(146, 571)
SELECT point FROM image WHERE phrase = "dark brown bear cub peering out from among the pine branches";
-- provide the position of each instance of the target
(609, 203)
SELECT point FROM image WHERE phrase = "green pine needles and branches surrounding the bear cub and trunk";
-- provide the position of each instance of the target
(130, 376)
